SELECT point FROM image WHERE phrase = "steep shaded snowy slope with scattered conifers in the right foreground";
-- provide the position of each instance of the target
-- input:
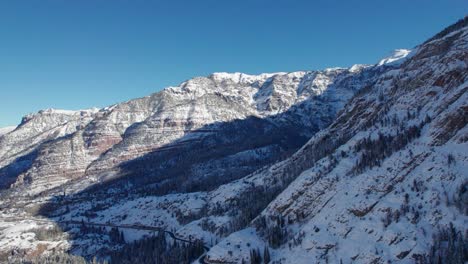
(382, 181)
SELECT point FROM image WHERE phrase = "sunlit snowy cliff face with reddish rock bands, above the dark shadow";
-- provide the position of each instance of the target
(52, 147)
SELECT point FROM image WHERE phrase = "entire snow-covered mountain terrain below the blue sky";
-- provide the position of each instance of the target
(359, 165)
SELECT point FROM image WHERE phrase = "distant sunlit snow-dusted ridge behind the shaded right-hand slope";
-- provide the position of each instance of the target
(105, 130)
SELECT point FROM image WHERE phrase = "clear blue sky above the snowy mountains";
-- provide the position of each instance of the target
(79, 54)
